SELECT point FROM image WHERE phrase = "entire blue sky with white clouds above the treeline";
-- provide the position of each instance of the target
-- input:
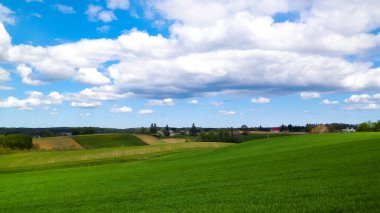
(216, 63)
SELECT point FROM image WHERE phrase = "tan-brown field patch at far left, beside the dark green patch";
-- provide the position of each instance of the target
(56, 143)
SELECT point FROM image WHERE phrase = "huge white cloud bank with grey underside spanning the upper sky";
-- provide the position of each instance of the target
(238, 47)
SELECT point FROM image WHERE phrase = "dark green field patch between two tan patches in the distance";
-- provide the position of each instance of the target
(106, 141)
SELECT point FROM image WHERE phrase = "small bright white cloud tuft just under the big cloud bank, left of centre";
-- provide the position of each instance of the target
(91, 76)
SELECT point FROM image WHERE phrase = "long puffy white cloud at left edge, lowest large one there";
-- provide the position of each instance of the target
(34, 99)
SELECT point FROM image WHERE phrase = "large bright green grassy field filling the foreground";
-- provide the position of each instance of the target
(332, 172)
